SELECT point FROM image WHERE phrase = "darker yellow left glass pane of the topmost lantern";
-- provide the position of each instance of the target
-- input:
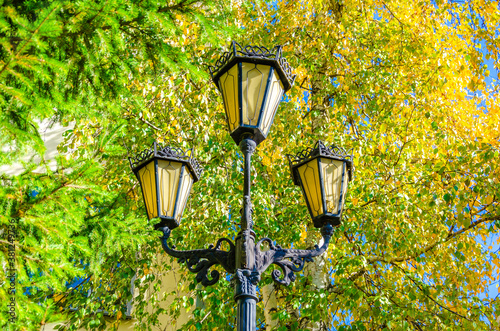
(228, 84)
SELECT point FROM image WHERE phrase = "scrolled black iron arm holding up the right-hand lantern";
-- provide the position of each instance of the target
(289, 260)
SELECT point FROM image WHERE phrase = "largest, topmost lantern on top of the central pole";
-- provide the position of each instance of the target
(252, 81)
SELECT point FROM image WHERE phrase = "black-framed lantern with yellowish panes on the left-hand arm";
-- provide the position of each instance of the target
(166, 176)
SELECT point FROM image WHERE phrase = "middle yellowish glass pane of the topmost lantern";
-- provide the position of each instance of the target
(253, 85)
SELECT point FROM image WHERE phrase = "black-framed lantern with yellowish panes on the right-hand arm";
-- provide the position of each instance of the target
(323, 173)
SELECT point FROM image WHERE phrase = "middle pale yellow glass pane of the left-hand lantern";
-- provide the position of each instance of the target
(169, 173)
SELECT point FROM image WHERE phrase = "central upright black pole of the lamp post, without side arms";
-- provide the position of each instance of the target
(245, 289)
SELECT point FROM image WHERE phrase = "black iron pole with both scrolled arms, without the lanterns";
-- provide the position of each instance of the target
(244, 259)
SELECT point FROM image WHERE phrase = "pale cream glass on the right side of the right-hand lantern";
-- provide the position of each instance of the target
(332, 171)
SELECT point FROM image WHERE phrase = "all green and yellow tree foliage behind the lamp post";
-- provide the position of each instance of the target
(398, 82)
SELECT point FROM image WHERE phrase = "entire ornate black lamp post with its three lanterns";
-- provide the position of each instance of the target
(252, 81)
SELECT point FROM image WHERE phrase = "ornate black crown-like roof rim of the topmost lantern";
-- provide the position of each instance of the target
(254, 54)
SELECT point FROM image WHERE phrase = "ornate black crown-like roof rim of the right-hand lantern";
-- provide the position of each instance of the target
(320, 150)
